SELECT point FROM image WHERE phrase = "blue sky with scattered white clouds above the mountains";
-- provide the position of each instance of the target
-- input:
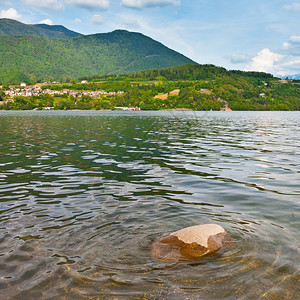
(249, 35)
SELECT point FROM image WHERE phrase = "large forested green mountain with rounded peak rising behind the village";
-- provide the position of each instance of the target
(32, 58)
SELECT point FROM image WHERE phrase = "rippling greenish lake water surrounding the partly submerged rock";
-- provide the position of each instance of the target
(83, 195)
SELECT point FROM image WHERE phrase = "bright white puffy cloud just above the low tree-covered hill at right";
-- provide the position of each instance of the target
(264, 61)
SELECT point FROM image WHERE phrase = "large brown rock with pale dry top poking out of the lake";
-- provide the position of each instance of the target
(190, 242)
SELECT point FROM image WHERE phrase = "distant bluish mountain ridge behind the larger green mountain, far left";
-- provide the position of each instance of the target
(12, 27)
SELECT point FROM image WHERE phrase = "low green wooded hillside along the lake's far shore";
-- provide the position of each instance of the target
(199, 87)
